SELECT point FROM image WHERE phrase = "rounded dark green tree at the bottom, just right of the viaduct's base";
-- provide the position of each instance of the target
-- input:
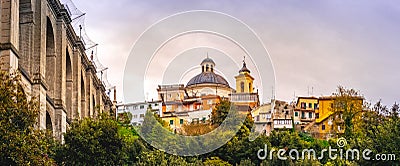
(93, 142)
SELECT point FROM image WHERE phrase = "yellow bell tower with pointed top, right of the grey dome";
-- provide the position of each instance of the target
(244, 81)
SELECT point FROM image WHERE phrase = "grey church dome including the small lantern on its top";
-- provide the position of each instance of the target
(207, 76)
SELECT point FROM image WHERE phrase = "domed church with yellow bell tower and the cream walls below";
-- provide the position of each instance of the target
(194, 102)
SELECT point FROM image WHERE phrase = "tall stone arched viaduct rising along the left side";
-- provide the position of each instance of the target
(38, 41)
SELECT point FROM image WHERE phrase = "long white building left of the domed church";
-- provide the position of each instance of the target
(138, 110)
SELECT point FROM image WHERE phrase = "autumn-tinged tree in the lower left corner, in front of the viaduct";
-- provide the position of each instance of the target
(20, 143)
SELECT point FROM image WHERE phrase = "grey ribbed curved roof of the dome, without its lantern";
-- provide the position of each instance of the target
(208, 77)
